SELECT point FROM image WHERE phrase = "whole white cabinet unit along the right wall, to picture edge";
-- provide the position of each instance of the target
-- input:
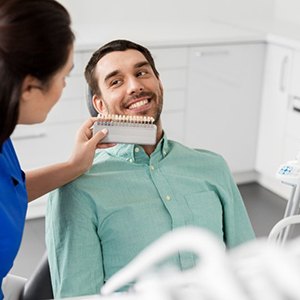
(279, 139)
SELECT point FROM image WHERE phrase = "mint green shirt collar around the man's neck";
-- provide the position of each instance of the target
(135, 153)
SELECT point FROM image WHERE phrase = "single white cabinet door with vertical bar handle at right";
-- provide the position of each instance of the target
(274, 116)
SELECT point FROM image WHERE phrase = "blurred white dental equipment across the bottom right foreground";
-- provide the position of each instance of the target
(257, 270)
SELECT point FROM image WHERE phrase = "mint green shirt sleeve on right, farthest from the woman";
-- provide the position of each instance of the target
(237, 226)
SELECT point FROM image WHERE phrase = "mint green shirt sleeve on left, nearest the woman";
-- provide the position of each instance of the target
(73, 245)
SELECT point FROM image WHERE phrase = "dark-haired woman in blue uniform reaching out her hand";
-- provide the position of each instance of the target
(36, 54)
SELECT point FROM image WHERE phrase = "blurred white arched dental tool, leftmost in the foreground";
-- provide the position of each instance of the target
(212, 268)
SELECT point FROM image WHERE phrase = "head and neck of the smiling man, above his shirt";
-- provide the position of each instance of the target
(126, 82)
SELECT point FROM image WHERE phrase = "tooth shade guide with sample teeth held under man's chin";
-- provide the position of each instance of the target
(127, 129)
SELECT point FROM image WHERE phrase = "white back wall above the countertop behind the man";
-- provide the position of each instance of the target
(141, 12)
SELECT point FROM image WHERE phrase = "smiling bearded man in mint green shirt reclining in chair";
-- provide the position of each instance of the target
(134, 194)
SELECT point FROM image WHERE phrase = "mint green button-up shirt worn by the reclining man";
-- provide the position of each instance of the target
(101, 221)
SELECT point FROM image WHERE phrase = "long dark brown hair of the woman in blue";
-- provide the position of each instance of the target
(35, 39)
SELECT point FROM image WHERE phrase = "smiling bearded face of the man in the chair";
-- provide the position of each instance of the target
(128, 85)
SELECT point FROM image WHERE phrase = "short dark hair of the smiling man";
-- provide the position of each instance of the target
(116, 45)
